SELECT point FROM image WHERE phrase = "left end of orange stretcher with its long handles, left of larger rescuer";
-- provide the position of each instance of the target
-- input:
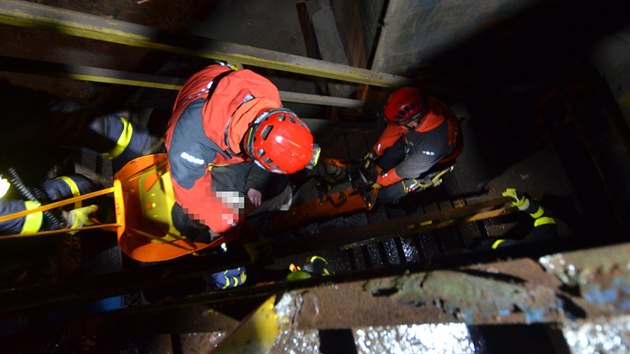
(143, 199)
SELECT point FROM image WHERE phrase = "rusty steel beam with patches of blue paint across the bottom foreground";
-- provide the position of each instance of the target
(564, 287)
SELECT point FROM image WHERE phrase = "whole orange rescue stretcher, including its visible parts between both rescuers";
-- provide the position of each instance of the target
(143, 200)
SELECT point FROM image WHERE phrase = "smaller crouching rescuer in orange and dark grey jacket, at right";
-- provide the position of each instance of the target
(422, 137)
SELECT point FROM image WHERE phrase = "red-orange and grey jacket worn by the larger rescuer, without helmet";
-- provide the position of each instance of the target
(202, 133)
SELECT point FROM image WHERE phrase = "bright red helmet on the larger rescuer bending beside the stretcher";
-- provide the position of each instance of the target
(280, 142)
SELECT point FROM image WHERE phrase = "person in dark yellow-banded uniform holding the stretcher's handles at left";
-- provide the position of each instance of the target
(51, 190)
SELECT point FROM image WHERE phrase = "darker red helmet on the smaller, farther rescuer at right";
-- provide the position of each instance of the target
(404, 105)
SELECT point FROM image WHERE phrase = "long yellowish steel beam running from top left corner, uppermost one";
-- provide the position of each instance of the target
(28, 14)
